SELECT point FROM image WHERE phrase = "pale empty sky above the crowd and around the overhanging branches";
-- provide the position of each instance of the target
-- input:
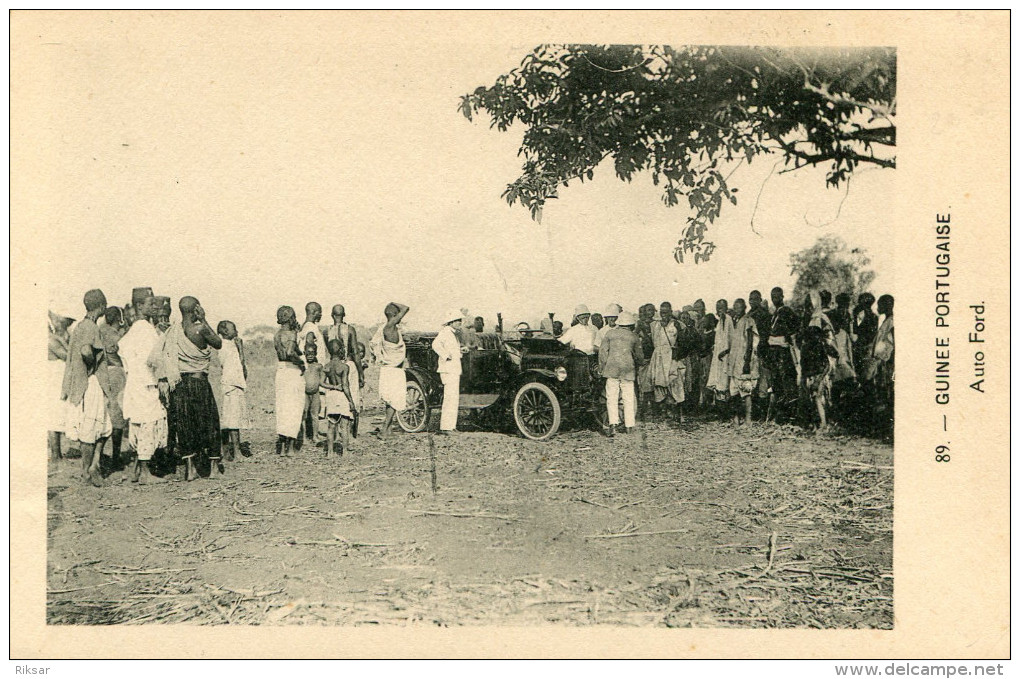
(285, 167)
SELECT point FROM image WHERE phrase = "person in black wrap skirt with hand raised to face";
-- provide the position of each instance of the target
(182, 365)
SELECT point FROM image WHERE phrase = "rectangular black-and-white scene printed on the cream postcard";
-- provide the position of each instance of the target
(346, 333)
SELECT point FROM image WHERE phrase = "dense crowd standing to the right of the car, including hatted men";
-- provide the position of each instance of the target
(820, 363)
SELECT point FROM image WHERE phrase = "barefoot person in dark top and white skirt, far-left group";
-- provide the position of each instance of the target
(85, 388)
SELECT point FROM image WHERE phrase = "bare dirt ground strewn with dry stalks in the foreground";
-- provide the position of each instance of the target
(702, 527)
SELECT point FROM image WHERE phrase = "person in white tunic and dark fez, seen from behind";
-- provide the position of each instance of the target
(142, 408)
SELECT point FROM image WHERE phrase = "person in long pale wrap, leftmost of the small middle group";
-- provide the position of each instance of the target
(290, 381)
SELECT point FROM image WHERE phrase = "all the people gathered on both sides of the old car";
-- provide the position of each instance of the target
(135, 391)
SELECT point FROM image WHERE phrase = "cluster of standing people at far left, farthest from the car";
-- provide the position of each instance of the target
(131, 372)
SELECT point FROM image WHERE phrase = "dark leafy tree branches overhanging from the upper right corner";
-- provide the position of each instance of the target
(691, 116)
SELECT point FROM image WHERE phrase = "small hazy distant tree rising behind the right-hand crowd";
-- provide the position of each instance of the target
(831, 265)
